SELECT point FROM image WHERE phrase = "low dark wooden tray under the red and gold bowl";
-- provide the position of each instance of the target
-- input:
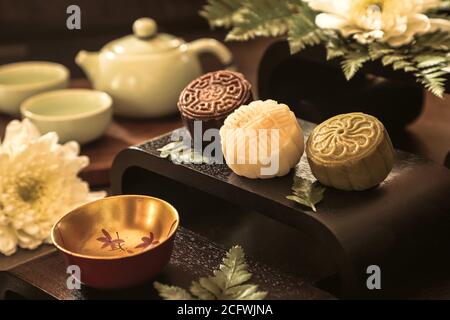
(193, 257)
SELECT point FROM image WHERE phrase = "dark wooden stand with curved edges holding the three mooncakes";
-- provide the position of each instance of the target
(402, 225)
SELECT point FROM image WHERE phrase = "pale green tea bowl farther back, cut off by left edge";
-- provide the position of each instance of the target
(19, 81)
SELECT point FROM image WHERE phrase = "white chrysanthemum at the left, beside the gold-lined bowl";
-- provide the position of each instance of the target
(38, 184)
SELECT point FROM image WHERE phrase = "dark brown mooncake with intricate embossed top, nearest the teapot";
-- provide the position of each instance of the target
(212, 97)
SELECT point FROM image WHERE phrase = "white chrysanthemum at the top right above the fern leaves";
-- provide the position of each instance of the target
(392, 21)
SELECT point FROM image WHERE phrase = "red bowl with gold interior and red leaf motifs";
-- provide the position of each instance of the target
(118, 241)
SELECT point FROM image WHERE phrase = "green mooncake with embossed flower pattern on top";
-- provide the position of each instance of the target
(350, 151)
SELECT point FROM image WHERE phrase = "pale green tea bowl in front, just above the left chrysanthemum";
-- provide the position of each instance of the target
(82, 115)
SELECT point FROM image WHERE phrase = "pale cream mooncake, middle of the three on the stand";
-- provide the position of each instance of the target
(262, 140)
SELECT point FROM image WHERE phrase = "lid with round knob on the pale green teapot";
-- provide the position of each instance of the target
(144, 40)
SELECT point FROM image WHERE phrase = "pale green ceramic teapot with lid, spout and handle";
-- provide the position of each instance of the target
(145, 72)
